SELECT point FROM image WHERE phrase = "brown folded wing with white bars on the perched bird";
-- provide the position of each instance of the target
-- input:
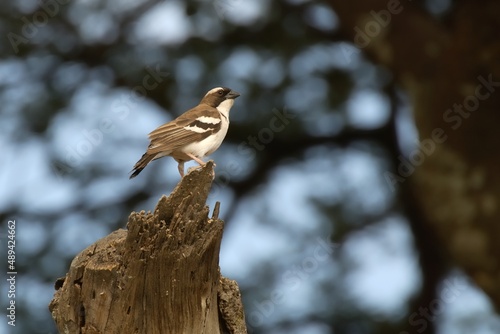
(194, 125)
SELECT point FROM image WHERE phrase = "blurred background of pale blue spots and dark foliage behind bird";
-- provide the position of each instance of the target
(318, 236)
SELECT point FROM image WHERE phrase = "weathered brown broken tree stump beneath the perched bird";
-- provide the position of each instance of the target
(159, 276)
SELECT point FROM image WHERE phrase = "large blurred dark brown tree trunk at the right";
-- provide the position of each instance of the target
(449, 68)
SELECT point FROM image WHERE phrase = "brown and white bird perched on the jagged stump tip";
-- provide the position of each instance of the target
(193, 135)
